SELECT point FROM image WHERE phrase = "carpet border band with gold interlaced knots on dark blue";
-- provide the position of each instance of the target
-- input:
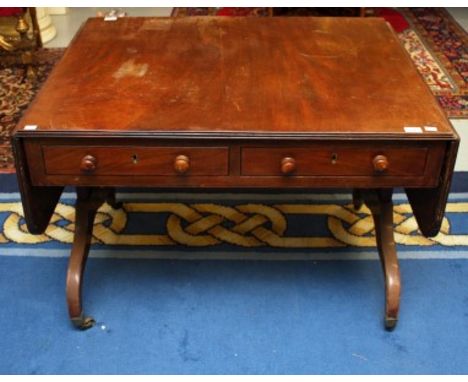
(312, 226)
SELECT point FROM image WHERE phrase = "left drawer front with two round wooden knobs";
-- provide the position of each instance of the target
(137, 161)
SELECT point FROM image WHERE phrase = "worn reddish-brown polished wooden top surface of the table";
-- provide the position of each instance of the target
(248, 76)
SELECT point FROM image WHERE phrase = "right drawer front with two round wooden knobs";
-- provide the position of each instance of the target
(303, 161)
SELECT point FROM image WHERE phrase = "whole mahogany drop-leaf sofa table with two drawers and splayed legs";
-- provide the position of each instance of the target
(235, 103)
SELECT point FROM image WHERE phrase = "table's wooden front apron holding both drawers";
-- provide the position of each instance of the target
(230, 165)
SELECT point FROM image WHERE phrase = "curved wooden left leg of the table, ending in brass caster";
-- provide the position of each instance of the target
(87, 203)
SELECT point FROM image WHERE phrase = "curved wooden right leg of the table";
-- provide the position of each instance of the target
(381, 206)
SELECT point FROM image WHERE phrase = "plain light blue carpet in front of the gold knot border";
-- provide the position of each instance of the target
(242, 317)
